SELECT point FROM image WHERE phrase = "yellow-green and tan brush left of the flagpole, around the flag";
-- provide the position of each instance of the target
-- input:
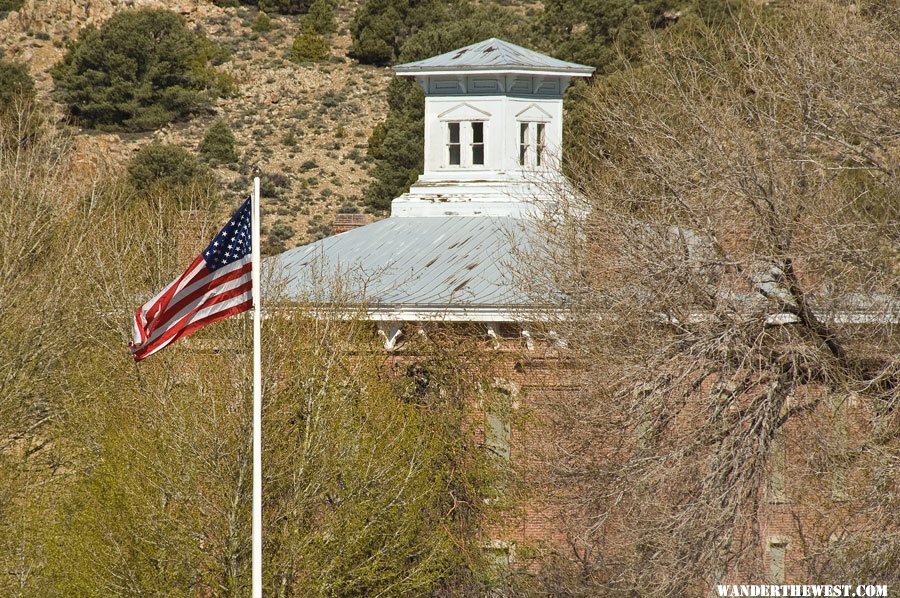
(153, 496)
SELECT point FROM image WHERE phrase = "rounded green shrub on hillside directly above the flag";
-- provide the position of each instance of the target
(159, 164)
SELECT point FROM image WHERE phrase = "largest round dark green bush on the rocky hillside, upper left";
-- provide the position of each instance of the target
(140, 70)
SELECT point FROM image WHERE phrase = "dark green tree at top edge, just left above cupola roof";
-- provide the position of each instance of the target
(380, 27)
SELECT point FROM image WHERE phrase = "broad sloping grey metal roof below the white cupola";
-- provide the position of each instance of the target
(412, 263)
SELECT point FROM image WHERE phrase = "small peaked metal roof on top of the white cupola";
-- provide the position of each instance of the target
(495, 55)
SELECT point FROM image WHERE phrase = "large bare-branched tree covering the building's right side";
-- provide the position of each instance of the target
(731, 284)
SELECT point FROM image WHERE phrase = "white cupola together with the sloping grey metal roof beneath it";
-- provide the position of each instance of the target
(493, 137)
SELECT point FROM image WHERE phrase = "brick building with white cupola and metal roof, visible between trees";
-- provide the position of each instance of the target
(448, 251)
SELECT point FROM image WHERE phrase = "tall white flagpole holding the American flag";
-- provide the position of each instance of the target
(257, 400)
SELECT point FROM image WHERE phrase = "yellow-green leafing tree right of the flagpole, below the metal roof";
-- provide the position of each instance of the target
(391, 499)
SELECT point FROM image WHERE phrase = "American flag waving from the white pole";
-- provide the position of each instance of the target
(216, 285)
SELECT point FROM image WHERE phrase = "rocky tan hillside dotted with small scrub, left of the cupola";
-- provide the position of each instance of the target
(307, 126)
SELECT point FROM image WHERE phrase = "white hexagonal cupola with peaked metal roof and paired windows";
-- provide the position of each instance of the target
(493, 129)
